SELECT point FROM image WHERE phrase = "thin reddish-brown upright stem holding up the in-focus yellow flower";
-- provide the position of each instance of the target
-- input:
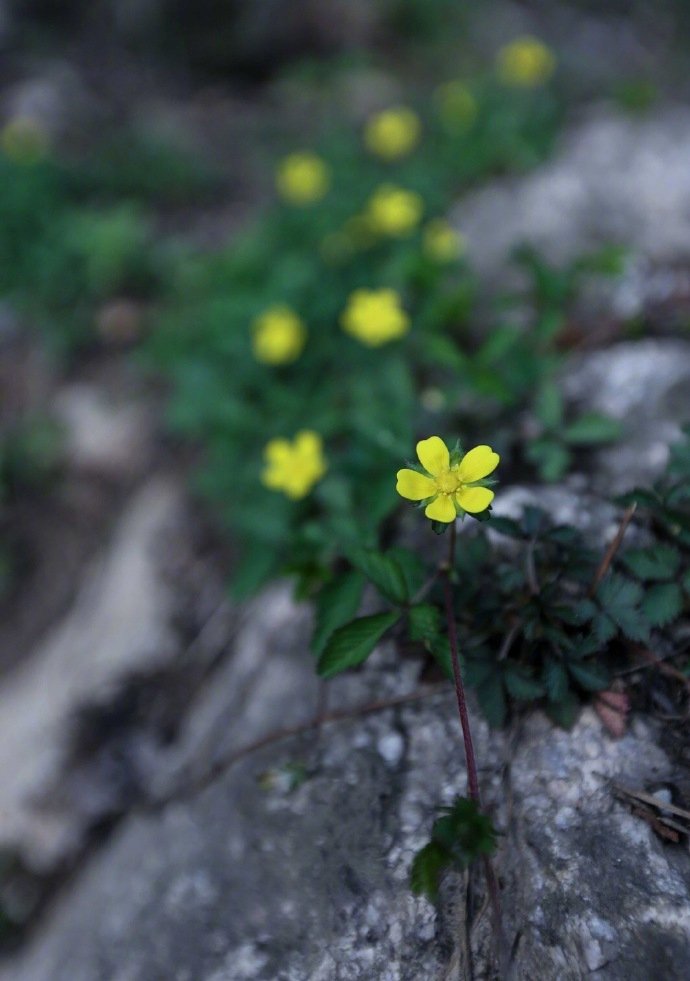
(471, 760)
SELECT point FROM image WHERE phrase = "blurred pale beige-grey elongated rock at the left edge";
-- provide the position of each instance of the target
(120, 622)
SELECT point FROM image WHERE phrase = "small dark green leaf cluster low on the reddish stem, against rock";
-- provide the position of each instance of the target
(460, 836)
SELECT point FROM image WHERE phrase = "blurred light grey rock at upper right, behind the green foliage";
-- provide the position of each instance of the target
(616, 179)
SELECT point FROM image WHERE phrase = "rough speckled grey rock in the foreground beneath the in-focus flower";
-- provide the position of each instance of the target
(252, 880)
